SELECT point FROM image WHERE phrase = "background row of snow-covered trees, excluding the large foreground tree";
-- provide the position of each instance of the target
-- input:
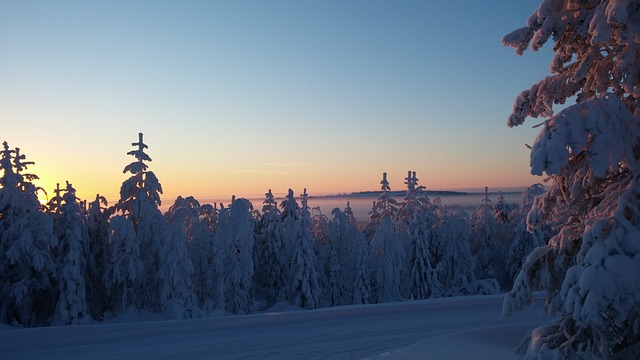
(71, 261)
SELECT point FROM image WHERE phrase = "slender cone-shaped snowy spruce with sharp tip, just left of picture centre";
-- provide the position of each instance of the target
(305, 289)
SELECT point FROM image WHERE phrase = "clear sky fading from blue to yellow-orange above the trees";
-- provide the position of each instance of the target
(235, 97)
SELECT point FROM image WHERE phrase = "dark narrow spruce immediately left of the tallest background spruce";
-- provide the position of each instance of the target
(98, 256)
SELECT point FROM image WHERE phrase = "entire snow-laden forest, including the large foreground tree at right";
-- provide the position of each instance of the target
(577, 239)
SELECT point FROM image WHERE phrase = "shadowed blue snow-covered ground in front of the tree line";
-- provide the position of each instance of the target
(448, 328)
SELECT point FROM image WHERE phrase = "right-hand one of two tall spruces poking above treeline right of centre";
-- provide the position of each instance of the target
(417, 222)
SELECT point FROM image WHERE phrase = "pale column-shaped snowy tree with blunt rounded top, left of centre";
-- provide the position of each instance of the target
(236, 235)
